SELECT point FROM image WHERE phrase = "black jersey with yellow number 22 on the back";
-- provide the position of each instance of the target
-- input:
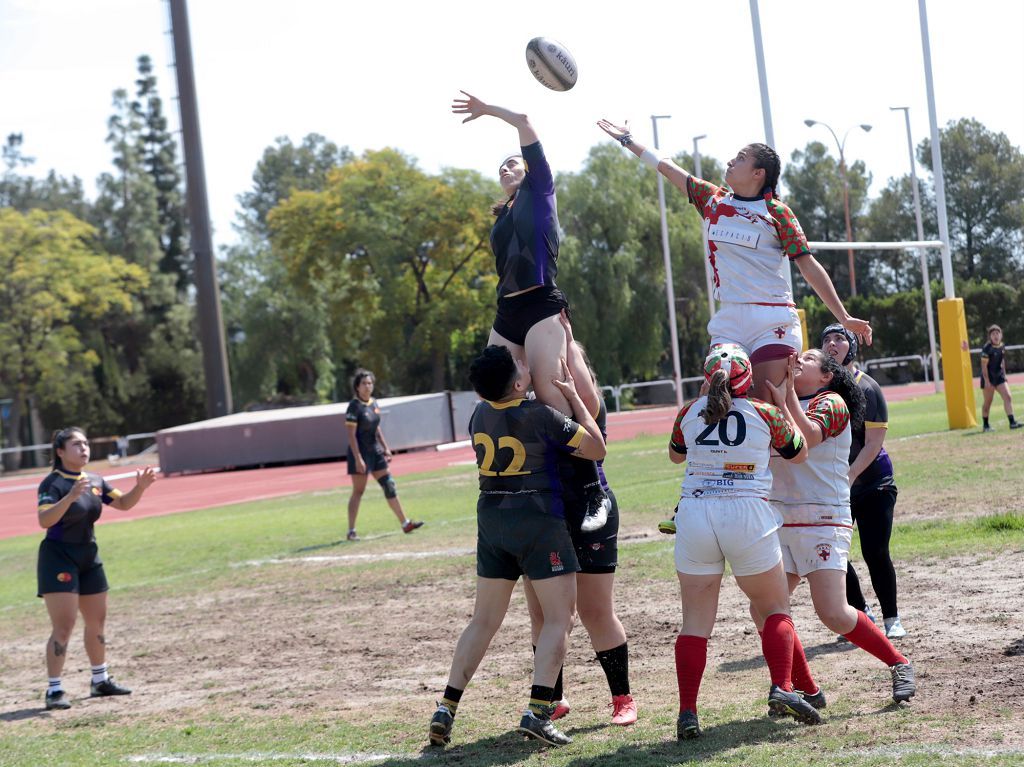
(520, 448)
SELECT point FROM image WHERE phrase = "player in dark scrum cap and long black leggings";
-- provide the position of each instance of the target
(873, 488)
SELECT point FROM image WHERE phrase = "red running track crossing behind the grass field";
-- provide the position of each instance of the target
(192, 492)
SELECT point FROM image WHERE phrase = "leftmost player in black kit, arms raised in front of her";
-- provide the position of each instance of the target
(71, 577)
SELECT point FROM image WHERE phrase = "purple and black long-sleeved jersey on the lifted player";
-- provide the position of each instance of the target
(525, 239)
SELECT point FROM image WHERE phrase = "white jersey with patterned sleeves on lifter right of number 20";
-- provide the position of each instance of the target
(818, 492)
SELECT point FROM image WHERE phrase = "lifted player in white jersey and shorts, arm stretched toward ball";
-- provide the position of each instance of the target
(751, 233)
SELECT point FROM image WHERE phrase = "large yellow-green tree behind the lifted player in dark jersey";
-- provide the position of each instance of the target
(401, 261)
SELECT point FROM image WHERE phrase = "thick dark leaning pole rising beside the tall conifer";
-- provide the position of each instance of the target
(219, 388)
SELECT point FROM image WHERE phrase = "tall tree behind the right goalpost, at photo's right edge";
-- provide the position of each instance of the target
(985, 176)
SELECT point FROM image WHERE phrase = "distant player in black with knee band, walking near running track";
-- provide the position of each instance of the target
(369, 454)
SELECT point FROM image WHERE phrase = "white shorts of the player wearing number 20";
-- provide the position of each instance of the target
(709, 532)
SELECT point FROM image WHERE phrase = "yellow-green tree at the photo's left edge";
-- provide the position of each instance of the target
(56, 283)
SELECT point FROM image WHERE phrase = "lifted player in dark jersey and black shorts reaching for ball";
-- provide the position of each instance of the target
(525, 240)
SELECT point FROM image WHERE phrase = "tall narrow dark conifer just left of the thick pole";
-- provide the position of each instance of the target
(159, 157)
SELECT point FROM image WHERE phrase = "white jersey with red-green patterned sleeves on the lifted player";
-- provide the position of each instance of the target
(748, 242)
